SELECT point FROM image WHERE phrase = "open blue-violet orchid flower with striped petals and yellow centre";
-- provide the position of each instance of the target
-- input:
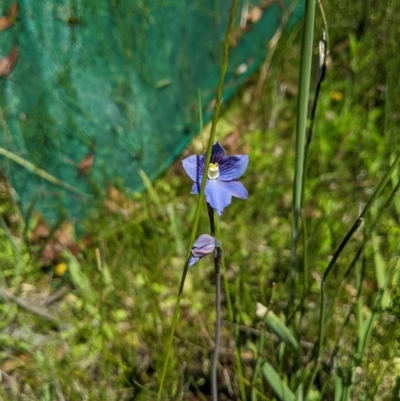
(222, 176)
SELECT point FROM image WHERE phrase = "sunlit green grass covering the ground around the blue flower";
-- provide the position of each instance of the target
(105, 338)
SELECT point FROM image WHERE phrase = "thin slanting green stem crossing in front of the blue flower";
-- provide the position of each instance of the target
(224, 66)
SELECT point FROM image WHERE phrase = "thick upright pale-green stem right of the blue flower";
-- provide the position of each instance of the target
(301, 126)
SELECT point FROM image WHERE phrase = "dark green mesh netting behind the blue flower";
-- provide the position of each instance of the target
(119, 79)
